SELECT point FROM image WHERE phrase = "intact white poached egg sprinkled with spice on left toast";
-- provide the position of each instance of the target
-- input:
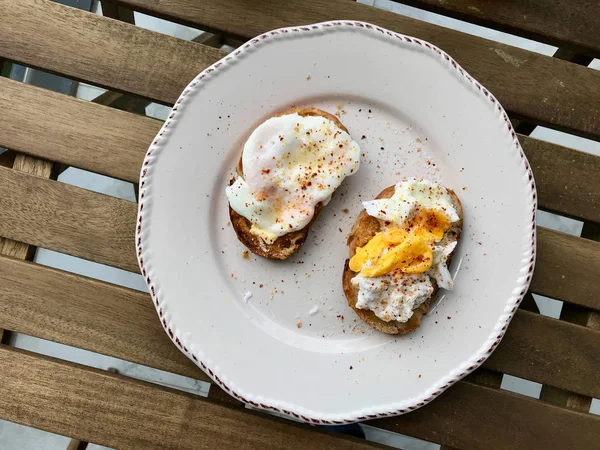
(290, 164)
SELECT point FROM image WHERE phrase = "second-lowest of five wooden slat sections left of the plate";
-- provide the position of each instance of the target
(89, 314)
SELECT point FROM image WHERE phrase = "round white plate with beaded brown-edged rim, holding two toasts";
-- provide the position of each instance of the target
(396, 91)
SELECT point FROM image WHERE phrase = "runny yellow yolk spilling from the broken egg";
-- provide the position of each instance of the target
(408, 249)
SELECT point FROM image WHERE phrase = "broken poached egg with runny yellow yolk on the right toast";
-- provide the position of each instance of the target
(396, 266)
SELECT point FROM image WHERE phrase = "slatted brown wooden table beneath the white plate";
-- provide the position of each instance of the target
(48, 131)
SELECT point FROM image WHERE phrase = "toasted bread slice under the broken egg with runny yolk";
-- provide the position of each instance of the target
(364, 229)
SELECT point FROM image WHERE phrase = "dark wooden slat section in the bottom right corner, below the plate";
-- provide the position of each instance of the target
(469, 416)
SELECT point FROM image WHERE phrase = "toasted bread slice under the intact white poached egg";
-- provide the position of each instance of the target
(288, 244)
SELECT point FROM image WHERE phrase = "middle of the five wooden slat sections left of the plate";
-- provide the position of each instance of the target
(67, 219)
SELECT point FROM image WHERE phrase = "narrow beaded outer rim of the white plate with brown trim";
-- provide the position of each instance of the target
(144, 254)
